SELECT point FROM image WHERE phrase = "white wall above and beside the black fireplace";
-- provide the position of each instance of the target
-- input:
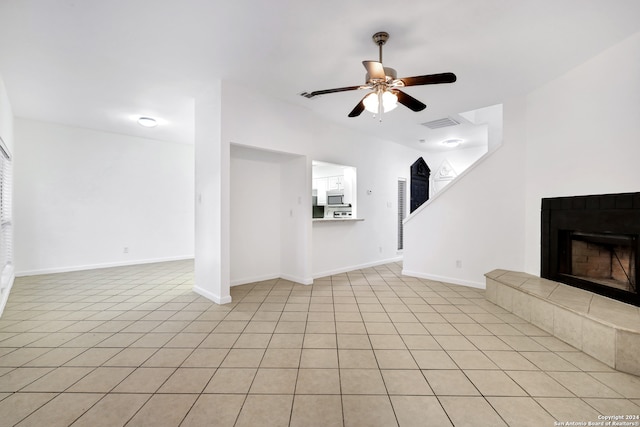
(583, 135)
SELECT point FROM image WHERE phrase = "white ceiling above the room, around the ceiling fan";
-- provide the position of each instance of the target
(97, 63)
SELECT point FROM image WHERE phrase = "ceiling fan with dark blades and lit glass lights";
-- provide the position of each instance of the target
(384, 86)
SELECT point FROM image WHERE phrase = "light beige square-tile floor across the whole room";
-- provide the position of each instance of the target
(135, 346)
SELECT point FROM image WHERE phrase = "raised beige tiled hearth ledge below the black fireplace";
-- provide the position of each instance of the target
(606, 329)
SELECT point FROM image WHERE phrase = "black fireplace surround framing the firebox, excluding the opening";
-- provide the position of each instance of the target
(614, 214)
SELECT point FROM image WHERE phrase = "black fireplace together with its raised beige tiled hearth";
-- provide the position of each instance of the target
(587, 292)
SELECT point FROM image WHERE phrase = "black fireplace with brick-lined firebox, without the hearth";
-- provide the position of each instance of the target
(592, 242)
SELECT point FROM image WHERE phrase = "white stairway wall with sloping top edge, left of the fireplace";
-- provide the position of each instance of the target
(478, 220)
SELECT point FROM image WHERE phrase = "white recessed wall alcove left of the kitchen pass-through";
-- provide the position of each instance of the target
(270, 208)
